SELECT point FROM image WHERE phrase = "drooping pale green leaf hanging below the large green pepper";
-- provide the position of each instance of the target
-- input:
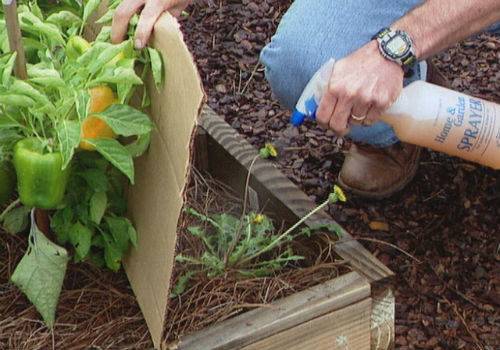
(40, 273)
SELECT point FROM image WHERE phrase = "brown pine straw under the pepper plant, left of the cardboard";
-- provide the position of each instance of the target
(97, 309)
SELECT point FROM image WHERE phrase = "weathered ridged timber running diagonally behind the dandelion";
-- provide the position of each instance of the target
(229, 150)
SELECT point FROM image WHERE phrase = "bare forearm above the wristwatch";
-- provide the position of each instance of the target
(438, 24)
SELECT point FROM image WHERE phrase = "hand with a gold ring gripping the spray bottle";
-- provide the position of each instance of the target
(364, 85)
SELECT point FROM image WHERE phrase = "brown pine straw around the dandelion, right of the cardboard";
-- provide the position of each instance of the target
(209, 301)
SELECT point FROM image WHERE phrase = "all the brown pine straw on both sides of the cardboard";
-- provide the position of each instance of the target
(97, 308)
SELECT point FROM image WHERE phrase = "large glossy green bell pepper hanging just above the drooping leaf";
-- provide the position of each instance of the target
(41, 181)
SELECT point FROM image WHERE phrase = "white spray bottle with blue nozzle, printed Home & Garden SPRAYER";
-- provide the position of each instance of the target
(427, 115)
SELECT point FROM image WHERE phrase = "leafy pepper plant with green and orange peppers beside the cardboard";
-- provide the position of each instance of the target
(72, 138)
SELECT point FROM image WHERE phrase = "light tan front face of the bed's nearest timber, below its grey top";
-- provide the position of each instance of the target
(345, 329)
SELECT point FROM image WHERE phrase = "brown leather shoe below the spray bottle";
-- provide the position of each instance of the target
(379, 172)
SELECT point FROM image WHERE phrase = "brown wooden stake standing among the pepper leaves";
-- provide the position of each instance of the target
(15, 39)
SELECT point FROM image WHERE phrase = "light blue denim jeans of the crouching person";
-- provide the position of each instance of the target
(313, 31)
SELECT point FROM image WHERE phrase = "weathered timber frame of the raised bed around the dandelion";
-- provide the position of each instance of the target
(353, 311)
